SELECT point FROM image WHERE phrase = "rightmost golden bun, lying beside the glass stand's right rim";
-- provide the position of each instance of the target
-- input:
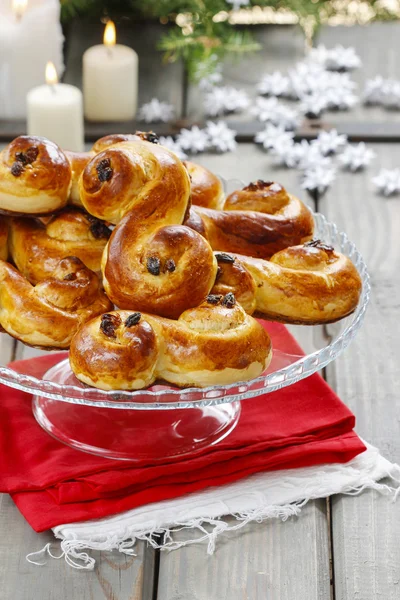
(306, 285)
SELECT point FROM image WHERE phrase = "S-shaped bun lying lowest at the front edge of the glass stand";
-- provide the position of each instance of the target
(216, 343)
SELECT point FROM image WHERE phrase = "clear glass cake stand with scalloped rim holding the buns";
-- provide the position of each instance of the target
(163, 422)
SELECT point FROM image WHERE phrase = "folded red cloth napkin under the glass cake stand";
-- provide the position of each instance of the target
(301, 425)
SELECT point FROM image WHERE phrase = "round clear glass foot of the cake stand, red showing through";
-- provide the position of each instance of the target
(135, 435)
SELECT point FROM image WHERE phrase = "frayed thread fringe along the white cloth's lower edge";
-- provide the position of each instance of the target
(207, 528)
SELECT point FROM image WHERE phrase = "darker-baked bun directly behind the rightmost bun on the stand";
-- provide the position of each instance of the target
(257, 221)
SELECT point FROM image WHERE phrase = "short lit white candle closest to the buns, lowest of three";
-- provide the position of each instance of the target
(55, 111)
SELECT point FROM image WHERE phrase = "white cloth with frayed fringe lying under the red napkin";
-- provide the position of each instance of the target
(271, 495)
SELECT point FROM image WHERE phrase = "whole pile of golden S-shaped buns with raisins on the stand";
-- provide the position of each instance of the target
(138, 263)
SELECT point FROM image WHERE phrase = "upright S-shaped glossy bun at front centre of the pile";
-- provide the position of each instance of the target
(151, 263)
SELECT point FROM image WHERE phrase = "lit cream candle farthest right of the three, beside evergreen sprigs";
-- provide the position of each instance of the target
(110, 80)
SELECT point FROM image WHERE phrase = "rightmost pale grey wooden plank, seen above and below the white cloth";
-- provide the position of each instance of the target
(366, 529)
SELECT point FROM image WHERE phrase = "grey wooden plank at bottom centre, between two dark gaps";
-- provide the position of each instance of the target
(275, 559)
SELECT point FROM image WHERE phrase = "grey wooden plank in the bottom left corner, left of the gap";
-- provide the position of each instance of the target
(115, 577)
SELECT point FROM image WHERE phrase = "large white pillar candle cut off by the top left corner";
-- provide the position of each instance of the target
(30, 35)
